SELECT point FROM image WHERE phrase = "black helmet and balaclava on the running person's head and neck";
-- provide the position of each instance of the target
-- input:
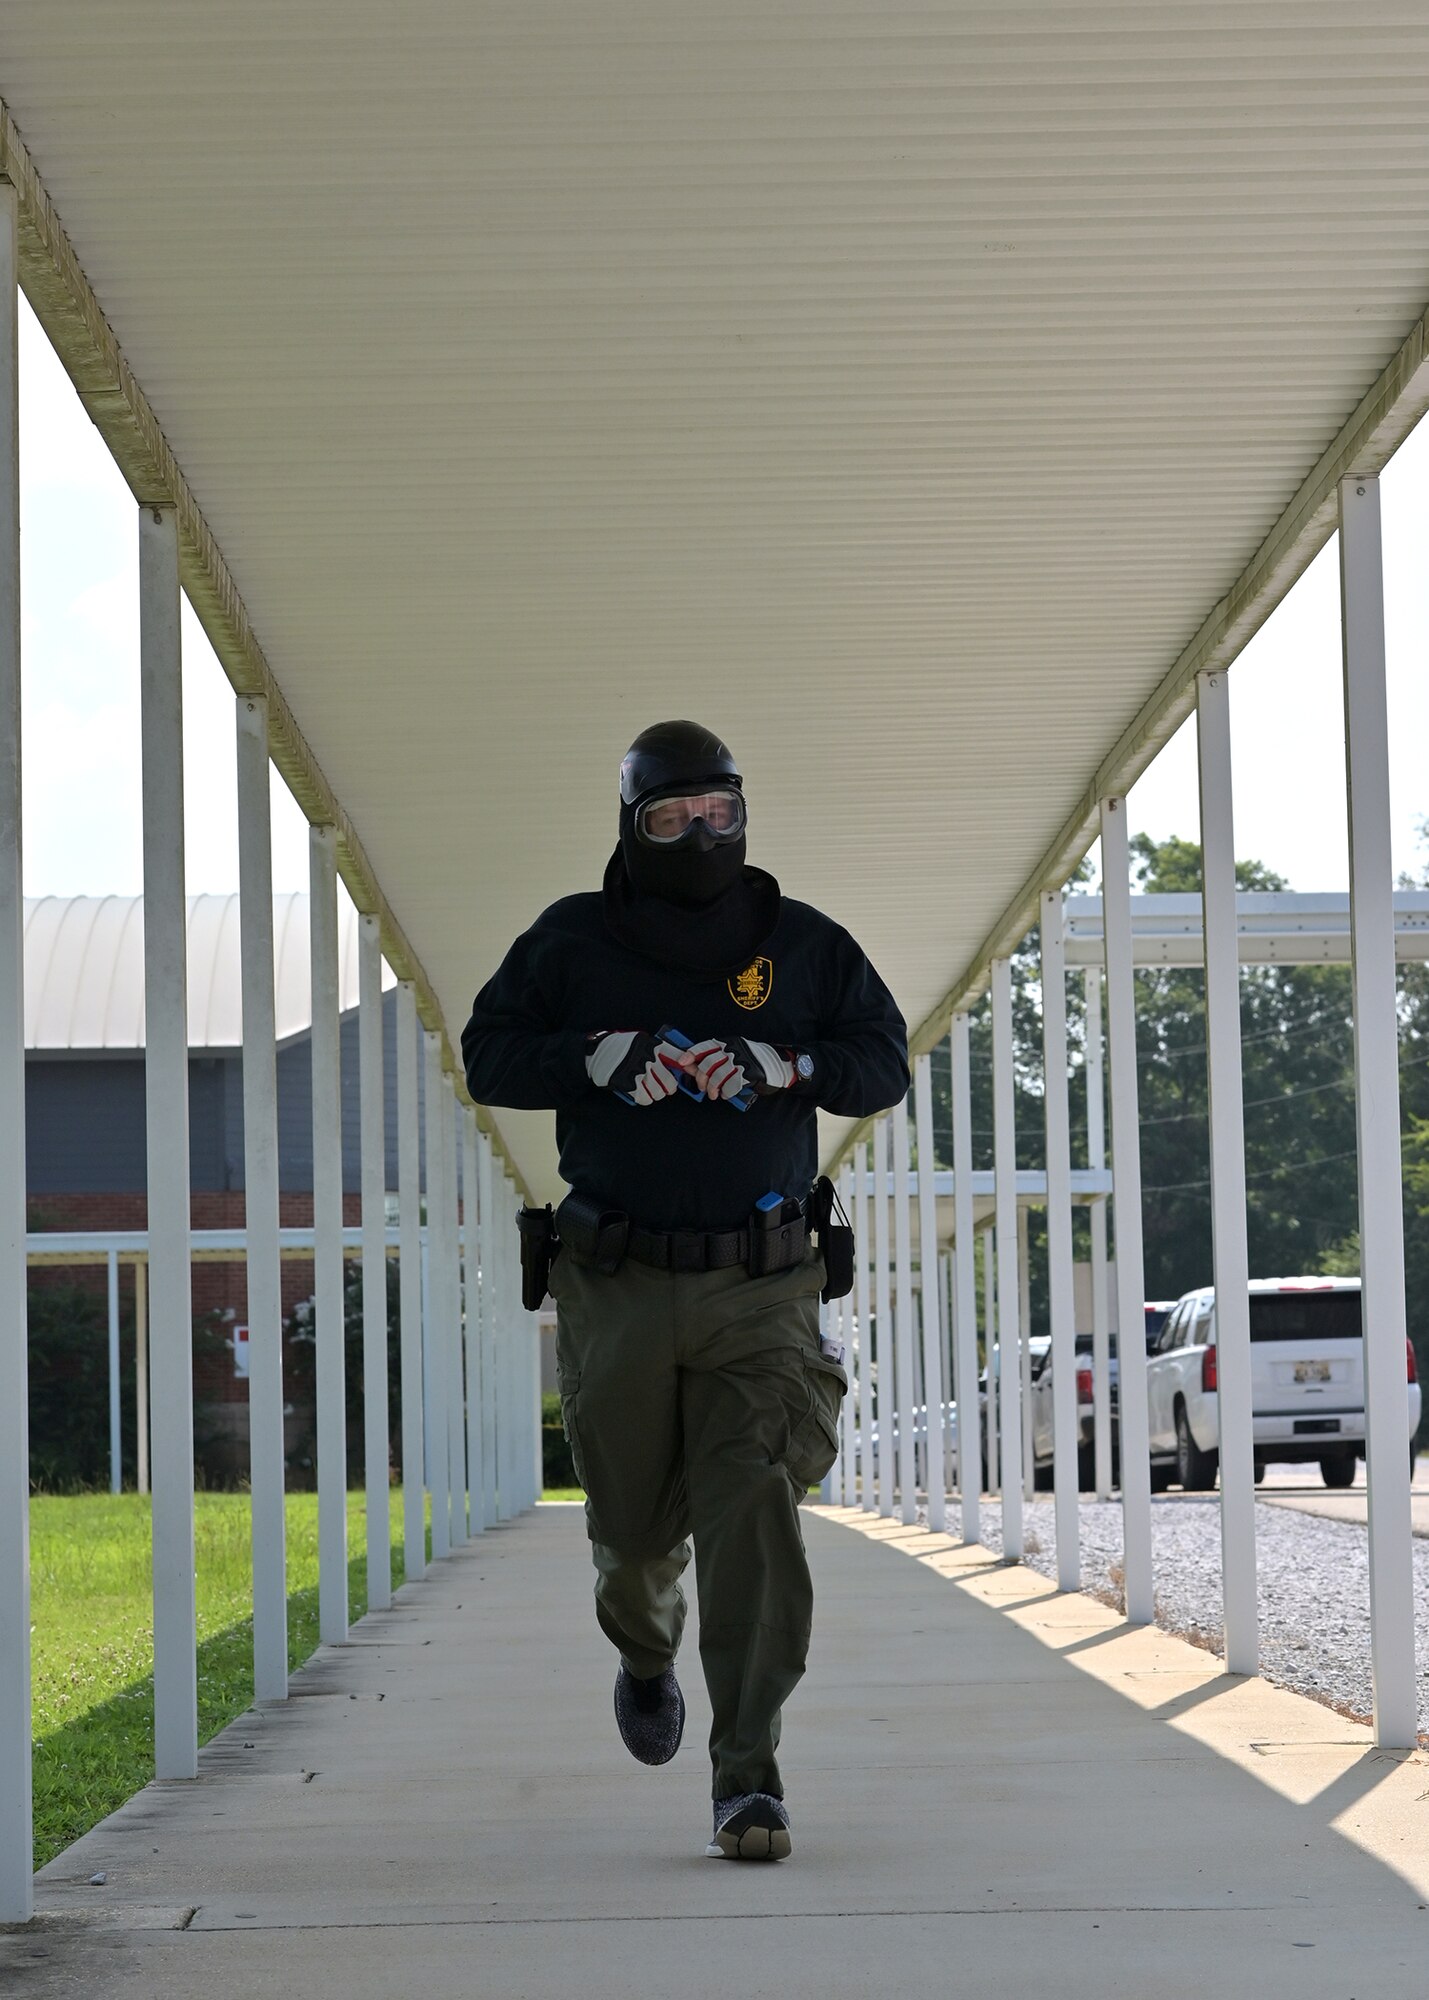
(695, 907)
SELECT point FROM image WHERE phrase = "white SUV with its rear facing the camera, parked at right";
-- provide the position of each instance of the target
(1308, 1383)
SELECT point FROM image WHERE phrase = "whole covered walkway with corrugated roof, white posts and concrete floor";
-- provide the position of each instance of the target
(938, 401)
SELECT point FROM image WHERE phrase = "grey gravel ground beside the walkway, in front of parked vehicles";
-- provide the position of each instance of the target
(1314, 1587)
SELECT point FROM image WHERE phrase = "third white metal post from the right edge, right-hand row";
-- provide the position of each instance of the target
(1126, 1183)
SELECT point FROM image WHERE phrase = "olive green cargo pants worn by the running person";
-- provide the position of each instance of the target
(699, 1405)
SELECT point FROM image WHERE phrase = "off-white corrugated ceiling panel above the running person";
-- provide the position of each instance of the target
(894, 387)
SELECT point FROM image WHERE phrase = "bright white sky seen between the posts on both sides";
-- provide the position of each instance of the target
(81, 689)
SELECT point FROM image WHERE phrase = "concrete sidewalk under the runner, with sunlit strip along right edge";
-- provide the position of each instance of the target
(998, 1791)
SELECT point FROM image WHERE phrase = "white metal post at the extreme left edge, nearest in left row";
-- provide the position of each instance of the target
(17, 1829)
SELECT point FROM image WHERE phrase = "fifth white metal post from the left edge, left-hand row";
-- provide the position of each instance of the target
(375, 1421)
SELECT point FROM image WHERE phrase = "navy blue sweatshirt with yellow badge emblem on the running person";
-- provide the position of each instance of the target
(685, 1165)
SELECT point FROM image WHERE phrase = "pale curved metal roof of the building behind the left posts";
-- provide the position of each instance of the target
(85, 971)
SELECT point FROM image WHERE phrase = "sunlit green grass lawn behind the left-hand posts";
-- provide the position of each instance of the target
(93, 1639)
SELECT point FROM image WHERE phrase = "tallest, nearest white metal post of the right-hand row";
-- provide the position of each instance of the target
(1382, 1237)
